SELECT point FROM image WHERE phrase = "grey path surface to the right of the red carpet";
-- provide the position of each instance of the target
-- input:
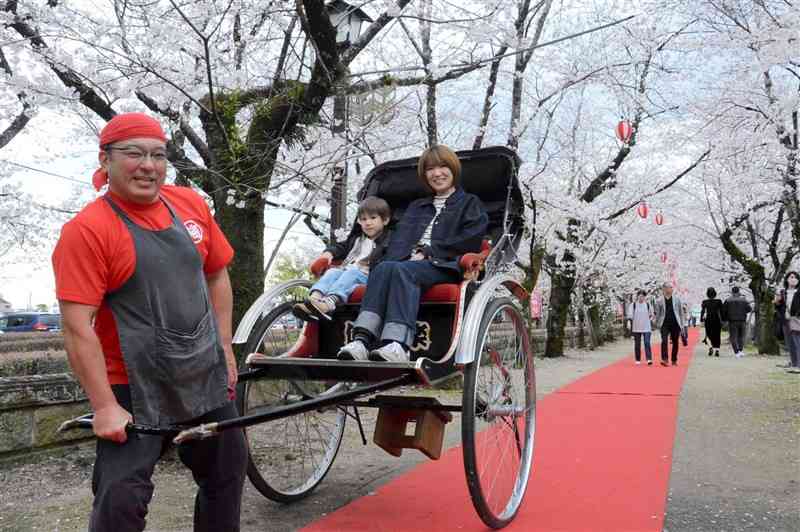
(736, 463)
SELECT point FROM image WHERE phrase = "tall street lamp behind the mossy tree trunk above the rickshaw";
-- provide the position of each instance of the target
(347, 20)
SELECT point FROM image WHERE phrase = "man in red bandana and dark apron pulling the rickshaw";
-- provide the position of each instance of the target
(142, 281)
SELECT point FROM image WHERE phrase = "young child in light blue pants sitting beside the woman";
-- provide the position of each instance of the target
(362, 250)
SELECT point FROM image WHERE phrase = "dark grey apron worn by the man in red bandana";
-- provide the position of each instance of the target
(169, 339)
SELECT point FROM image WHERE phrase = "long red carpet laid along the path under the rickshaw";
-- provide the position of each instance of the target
(602, 462)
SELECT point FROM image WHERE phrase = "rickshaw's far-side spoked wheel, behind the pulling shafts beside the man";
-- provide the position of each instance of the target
(289, 457)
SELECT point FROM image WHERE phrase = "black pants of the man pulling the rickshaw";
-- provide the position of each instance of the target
(122, 487)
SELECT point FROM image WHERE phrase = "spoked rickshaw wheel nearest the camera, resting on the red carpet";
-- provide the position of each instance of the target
(499, 415)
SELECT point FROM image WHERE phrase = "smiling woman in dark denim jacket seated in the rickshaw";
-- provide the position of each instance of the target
(425, 249)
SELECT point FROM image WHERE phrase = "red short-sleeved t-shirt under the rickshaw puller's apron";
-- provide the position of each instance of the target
(95, 255)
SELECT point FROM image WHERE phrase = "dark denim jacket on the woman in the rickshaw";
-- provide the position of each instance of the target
(460, 228)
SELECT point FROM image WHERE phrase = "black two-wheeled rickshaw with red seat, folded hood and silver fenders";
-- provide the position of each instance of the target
(473, 330)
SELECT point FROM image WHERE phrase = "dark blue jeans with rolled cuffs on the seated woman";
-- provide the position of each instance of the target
(390, 305)
